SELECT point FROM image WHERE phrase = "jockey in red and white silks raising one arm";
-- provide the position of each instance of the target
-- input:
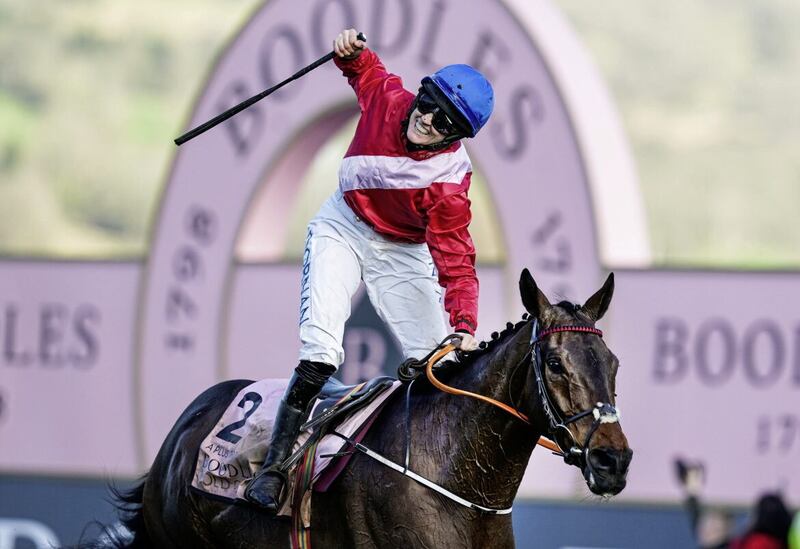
(399, 218)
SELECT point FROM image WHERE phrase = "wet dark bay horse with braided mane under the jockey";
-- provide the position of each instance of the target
(552, 368)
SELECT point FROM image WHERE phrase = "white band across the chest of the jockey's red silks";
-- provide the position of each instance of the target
(401, 172)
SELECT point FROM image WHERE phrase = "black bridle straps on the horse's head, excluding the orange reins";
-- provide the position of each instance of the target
(574, 453)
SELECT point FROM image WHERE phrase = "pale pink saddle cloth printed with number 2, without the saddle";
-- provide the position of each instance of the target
(234, 450)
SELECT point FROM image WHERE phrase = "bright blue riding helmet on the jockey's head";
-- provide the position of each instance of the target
(467, 90)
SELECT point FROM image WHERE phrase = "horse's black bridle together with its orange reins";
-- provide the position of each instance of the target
(566, 445)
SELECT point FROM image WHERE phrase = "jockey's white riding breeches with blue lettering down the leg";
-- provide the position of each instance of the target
(400, 279)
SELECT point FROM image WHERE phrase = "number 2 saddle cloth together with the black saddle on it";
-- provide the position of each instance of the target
(234, 450)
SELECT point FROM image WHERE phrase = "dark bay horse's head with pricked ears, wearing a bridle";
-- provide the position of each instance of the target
(571, 385)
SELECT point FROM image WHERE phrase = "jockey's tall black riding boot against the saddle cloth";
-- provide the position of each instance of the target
(309, 377)
